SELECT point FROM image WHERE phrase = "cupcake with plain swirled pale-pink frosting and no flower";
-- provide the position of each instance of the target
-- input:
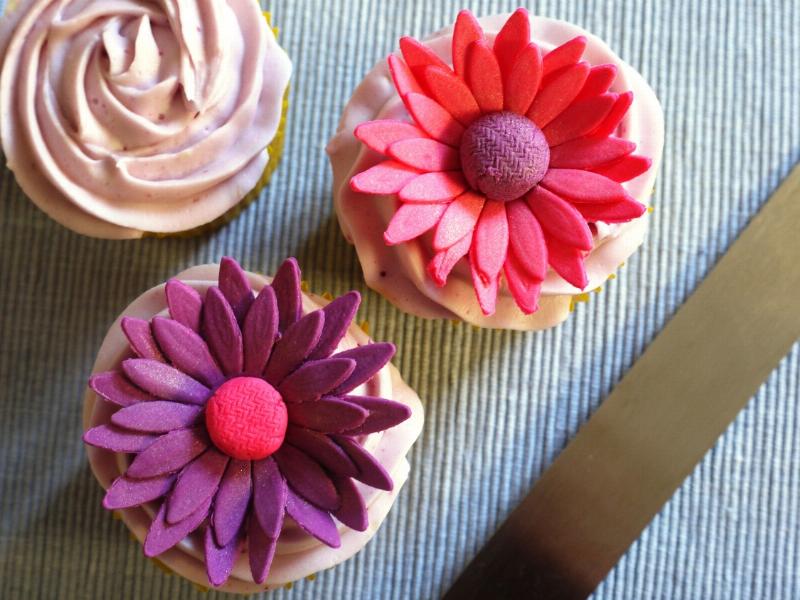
(121, 119)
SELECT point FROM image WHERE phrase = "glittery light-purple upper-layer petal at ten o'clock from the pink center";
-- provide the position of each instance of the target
(164, 381)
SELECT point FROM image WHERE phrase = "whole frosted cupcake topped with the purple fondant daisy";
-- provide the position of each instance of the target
(248, 434)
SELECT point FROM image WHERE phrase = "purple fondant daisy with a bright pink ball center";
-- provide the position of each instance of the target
(236, 411)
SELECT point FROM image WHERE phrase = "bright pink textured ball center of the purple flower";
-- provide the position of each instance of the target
(246, 418)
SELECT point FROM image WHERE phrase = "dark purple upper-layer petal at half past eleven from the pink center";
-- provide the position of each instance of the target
(222, 332)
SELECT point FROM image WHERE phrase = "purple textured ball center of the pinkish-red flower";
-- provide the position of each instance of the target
(504, 155)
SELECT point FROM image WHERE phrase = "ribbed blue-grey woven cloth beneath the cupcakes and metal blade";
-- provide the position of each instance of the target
(500, 405)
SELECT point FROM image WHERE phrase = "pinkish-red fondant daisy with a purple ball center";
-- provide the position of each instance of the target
(510, 157)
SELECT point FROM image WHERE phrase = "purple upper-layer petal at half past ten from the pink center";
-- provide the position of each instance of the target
(187, 351)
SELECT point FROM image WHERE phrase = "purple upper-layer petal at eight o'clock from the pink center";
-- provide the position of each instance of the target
(168, 453)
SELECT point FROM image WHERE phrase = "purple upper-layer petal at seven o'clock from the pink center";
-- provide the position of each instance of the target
(196, 483)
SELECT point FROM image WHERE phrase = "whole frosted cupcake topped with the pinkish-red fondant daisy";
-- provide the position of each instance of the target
(496, 170)
